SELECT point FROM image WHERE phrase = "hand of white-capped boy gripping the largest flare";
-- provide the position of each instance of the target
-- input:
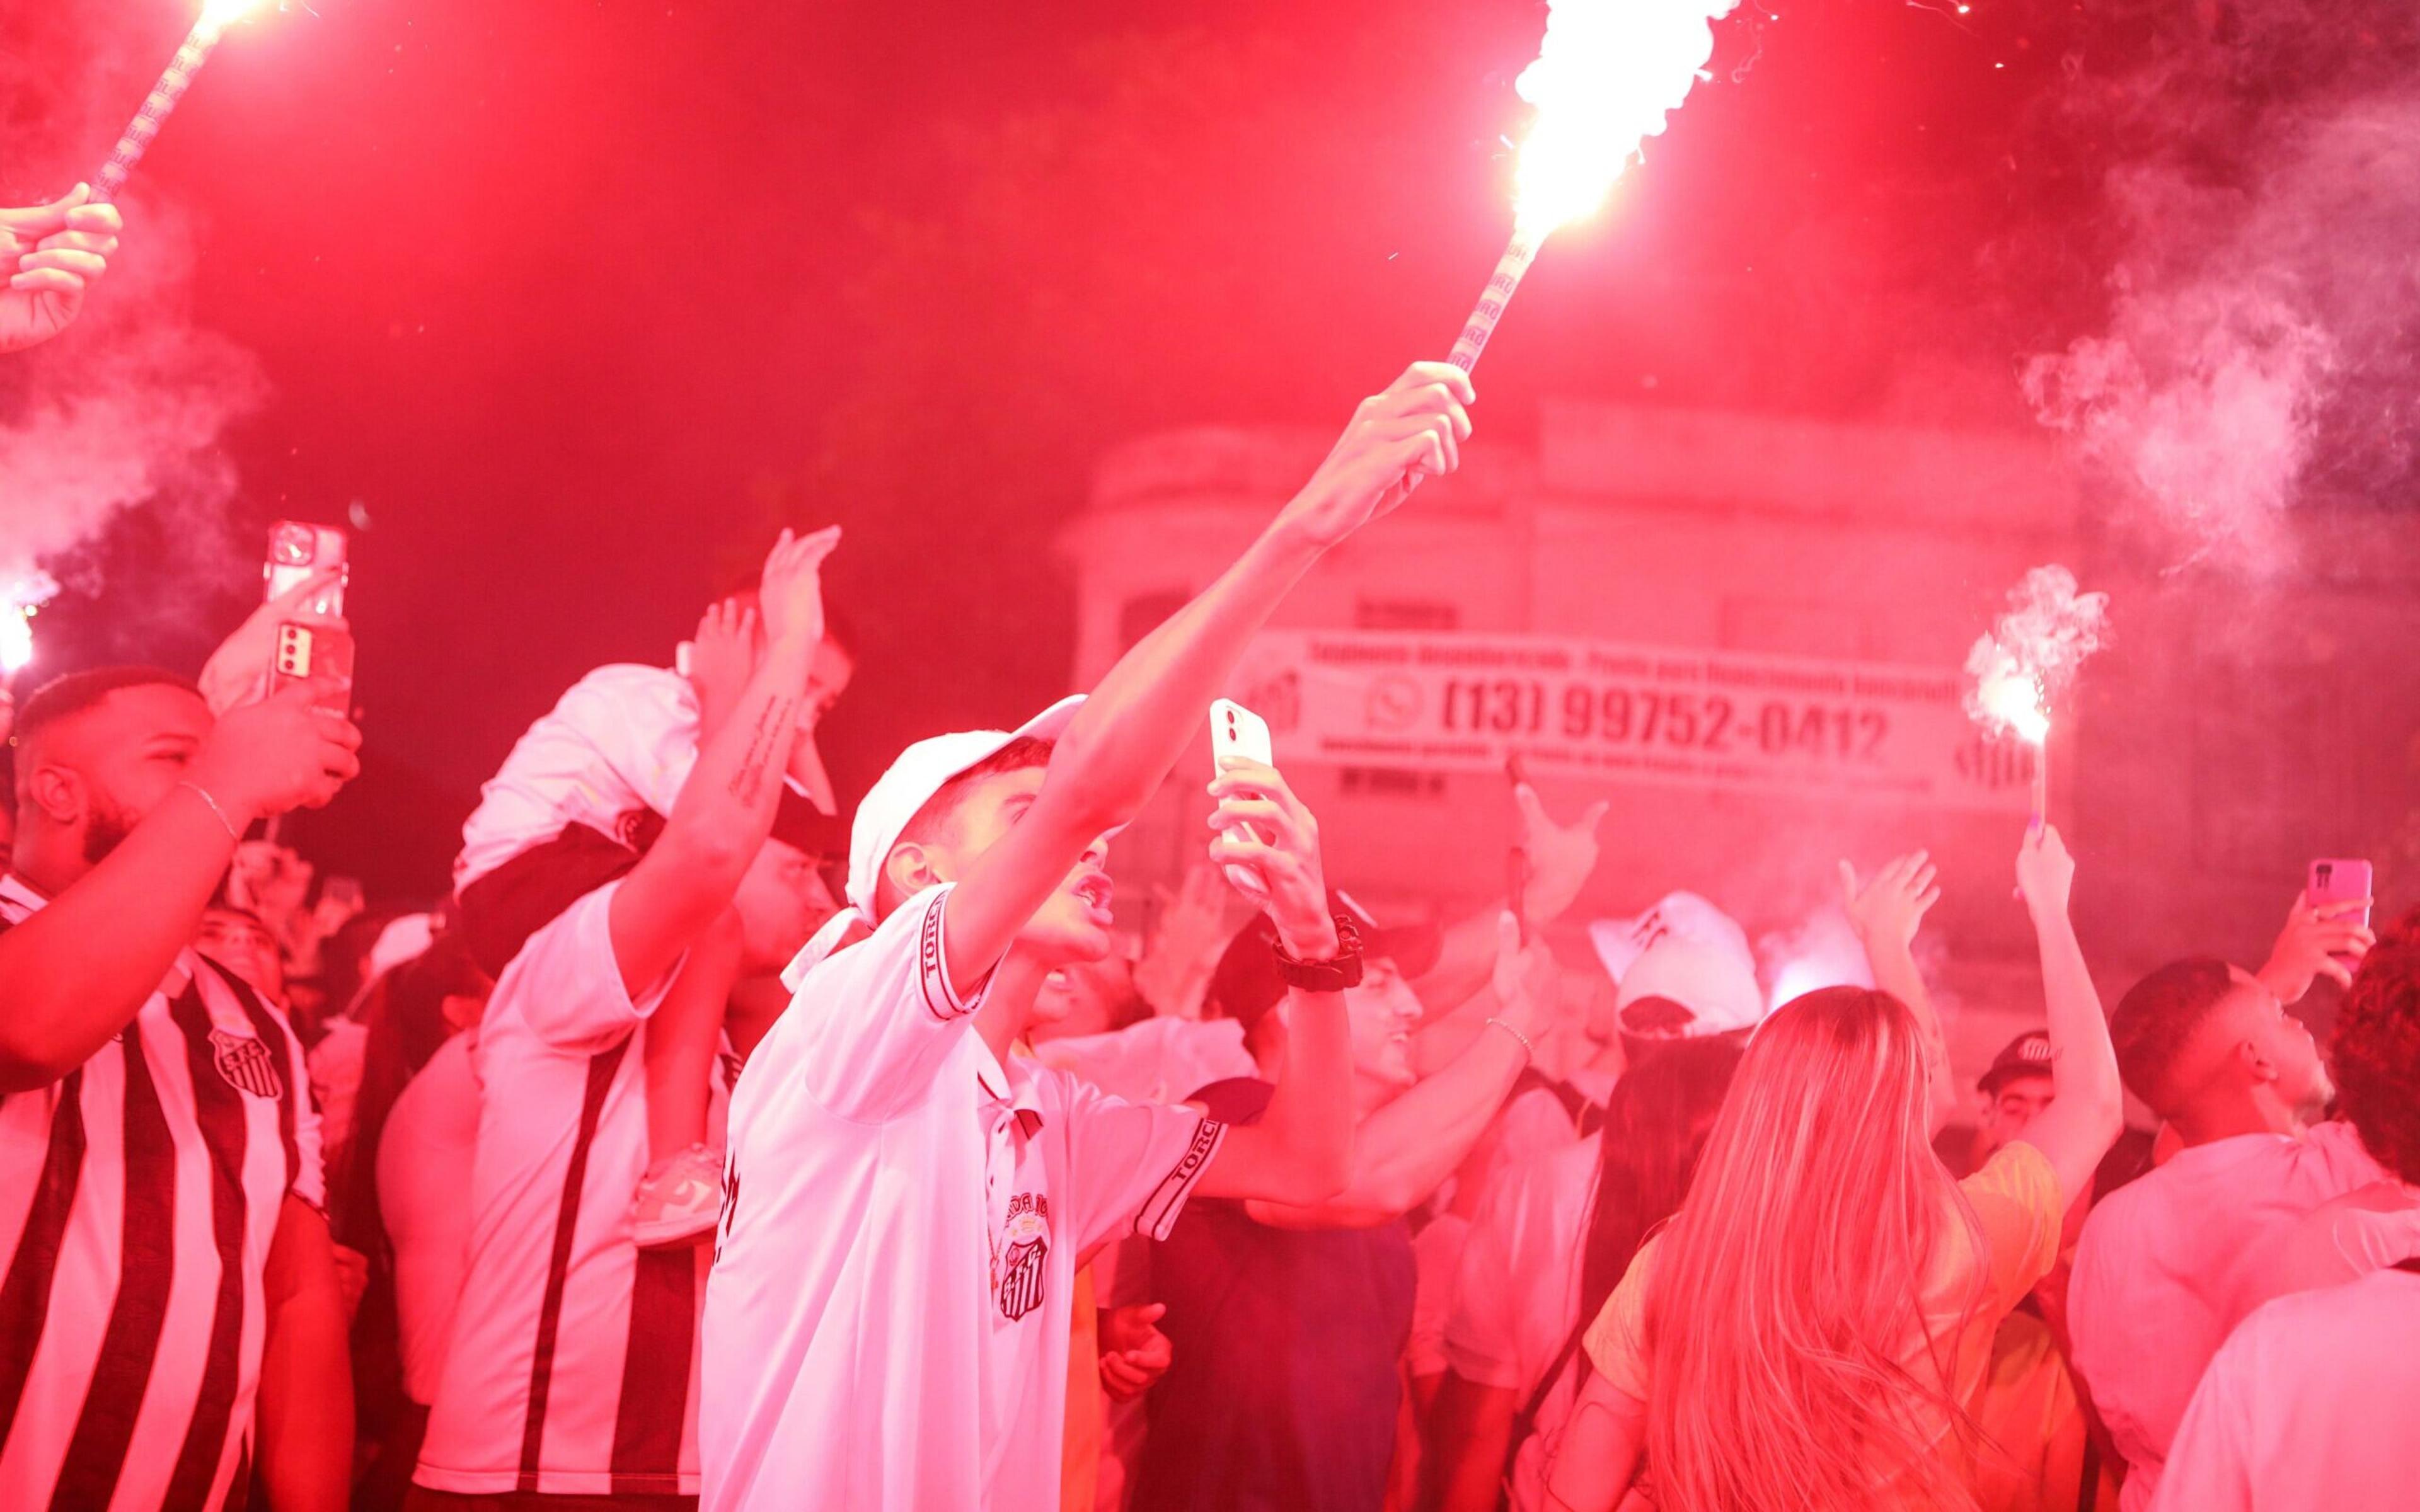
(1414, 429)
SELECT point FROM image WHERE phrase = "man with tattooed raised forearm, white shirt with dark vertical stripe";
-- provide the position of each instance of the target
(572, 1356)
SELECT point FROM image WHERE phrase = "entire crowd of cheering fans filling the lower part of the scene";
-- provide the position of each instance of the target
(710, 1143)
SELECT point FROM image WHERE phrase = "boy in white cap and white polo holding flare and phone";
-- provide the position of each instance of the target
(887, 1322)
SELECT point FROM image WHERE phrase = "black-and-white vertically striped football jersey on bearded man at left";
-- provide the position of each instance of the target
(139, 1204)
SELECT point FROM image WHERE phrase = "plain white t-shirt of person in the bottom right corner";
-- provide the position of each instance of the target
(2307, 1407)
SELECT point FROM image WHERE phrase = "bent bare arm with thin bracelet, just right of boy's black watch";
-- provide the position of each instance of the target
(1412, 1145)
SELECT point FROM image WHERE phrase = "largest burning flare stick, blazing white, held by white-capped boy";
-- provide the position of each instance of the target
(1606, 79)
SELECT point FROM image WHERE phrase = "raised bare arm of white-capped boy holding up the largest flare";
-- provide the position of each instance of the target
(1151, 705)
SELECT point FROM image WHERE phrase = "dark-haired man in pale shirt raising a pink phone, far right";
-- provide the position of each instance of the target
(2174, 1262)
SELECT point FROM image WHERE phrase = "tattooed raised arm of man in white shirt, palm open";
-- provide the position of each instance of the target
(725, 809)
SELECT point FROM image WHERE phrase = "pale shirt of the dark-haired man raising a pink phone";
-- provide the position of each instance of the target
(2174, 1262)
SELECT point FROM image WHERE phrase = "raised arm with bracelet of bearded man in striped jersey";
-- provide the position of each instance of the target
(79, 971)
